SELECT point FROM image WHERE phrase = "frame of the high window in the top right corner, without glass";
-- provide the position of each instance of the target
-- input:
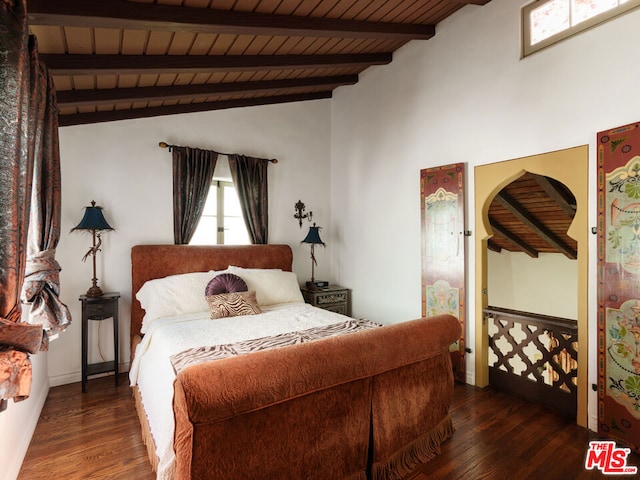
(528, 49)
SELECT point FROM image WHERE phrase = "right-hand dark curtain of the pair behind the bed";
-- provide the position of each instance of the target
(250, 179)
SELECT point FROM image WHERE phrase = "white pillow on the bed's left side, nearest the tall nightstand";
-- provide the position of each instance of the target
(173, 295)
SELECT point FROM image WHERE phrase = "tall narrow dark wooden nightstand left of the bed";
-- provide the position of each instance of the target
(98, 309)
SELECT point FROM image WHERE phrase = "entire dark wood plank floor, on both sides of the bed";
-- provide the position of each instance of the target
(97, 436)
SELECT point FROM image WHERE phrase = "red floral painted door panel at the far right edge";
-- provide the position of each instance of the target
(619, 284)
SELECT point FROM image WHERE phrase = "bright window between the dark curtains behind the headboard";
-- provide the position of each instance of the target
(221, 222)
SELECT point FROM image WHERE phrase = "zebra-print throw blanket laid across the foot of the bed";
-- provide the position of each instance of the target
(194, 356)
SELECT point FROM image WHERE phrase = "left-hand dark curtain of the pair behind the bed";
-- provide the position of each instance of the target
(192, 174)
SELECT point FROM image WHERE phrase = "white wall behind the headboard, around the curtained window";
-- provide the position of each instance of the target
(121, 167)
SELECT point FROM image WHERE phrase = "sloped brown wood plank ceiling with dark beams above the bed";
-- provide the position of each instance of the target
(122, 59)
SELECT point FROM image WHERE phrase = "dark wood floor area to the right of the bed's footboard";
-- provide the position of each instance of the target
(500, 437)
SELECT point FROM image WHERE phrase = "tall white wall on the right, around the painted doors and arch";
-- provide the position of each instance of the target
(464, 96)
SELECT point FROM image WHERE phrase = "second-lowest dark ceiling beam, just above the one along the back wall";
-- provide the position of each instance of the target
(78, 98)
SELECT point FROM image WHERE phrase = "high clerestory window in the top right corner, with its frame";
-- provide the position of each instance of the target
(546, 22)
